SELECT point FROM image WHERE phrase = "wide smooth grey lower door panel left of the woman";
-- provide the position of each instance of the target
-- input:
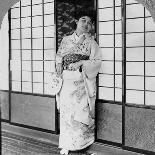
(33, 111)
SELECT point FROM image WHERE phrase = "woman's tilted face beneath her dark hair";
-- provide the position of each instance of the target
(84, 24)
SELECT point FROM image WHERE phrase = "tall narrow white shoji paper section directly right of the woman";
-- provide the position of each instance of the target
(110, 42)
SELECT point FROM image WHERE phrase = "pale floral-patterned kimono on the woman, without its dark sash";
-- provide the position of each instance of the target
(74, 101)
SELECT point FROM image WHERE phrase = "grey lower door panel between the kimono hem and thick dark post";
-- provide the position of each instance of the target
(109, 122)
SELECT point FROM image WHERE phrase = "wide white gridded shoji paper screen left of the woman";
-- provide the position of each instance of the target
(32, 46)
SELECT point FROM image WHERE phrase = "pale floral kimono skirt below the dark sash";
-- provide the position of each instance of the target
(76, 124)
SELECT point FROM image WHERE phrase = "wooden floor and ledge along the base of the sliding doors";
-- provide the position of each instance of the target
(22, 141)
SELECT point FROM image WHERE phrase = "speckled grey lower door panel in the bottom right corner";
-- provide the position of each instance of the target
(139, 130)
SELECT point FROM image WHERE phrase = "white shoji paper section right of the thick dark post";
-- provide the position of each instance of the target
(140, 55)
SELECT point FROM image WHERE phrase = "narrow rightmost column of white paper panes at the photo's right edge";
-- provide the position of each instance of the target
(149, 60)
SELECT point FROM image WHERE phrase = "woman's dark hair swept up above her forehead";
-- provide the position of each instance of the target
(90, 13)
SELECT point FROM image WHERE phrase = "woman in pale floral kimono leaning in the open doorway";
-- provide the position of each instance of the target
(78, 61)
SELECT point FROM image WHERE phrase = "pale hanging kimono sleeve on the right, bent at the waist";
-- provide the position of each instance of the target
(92, 66)
